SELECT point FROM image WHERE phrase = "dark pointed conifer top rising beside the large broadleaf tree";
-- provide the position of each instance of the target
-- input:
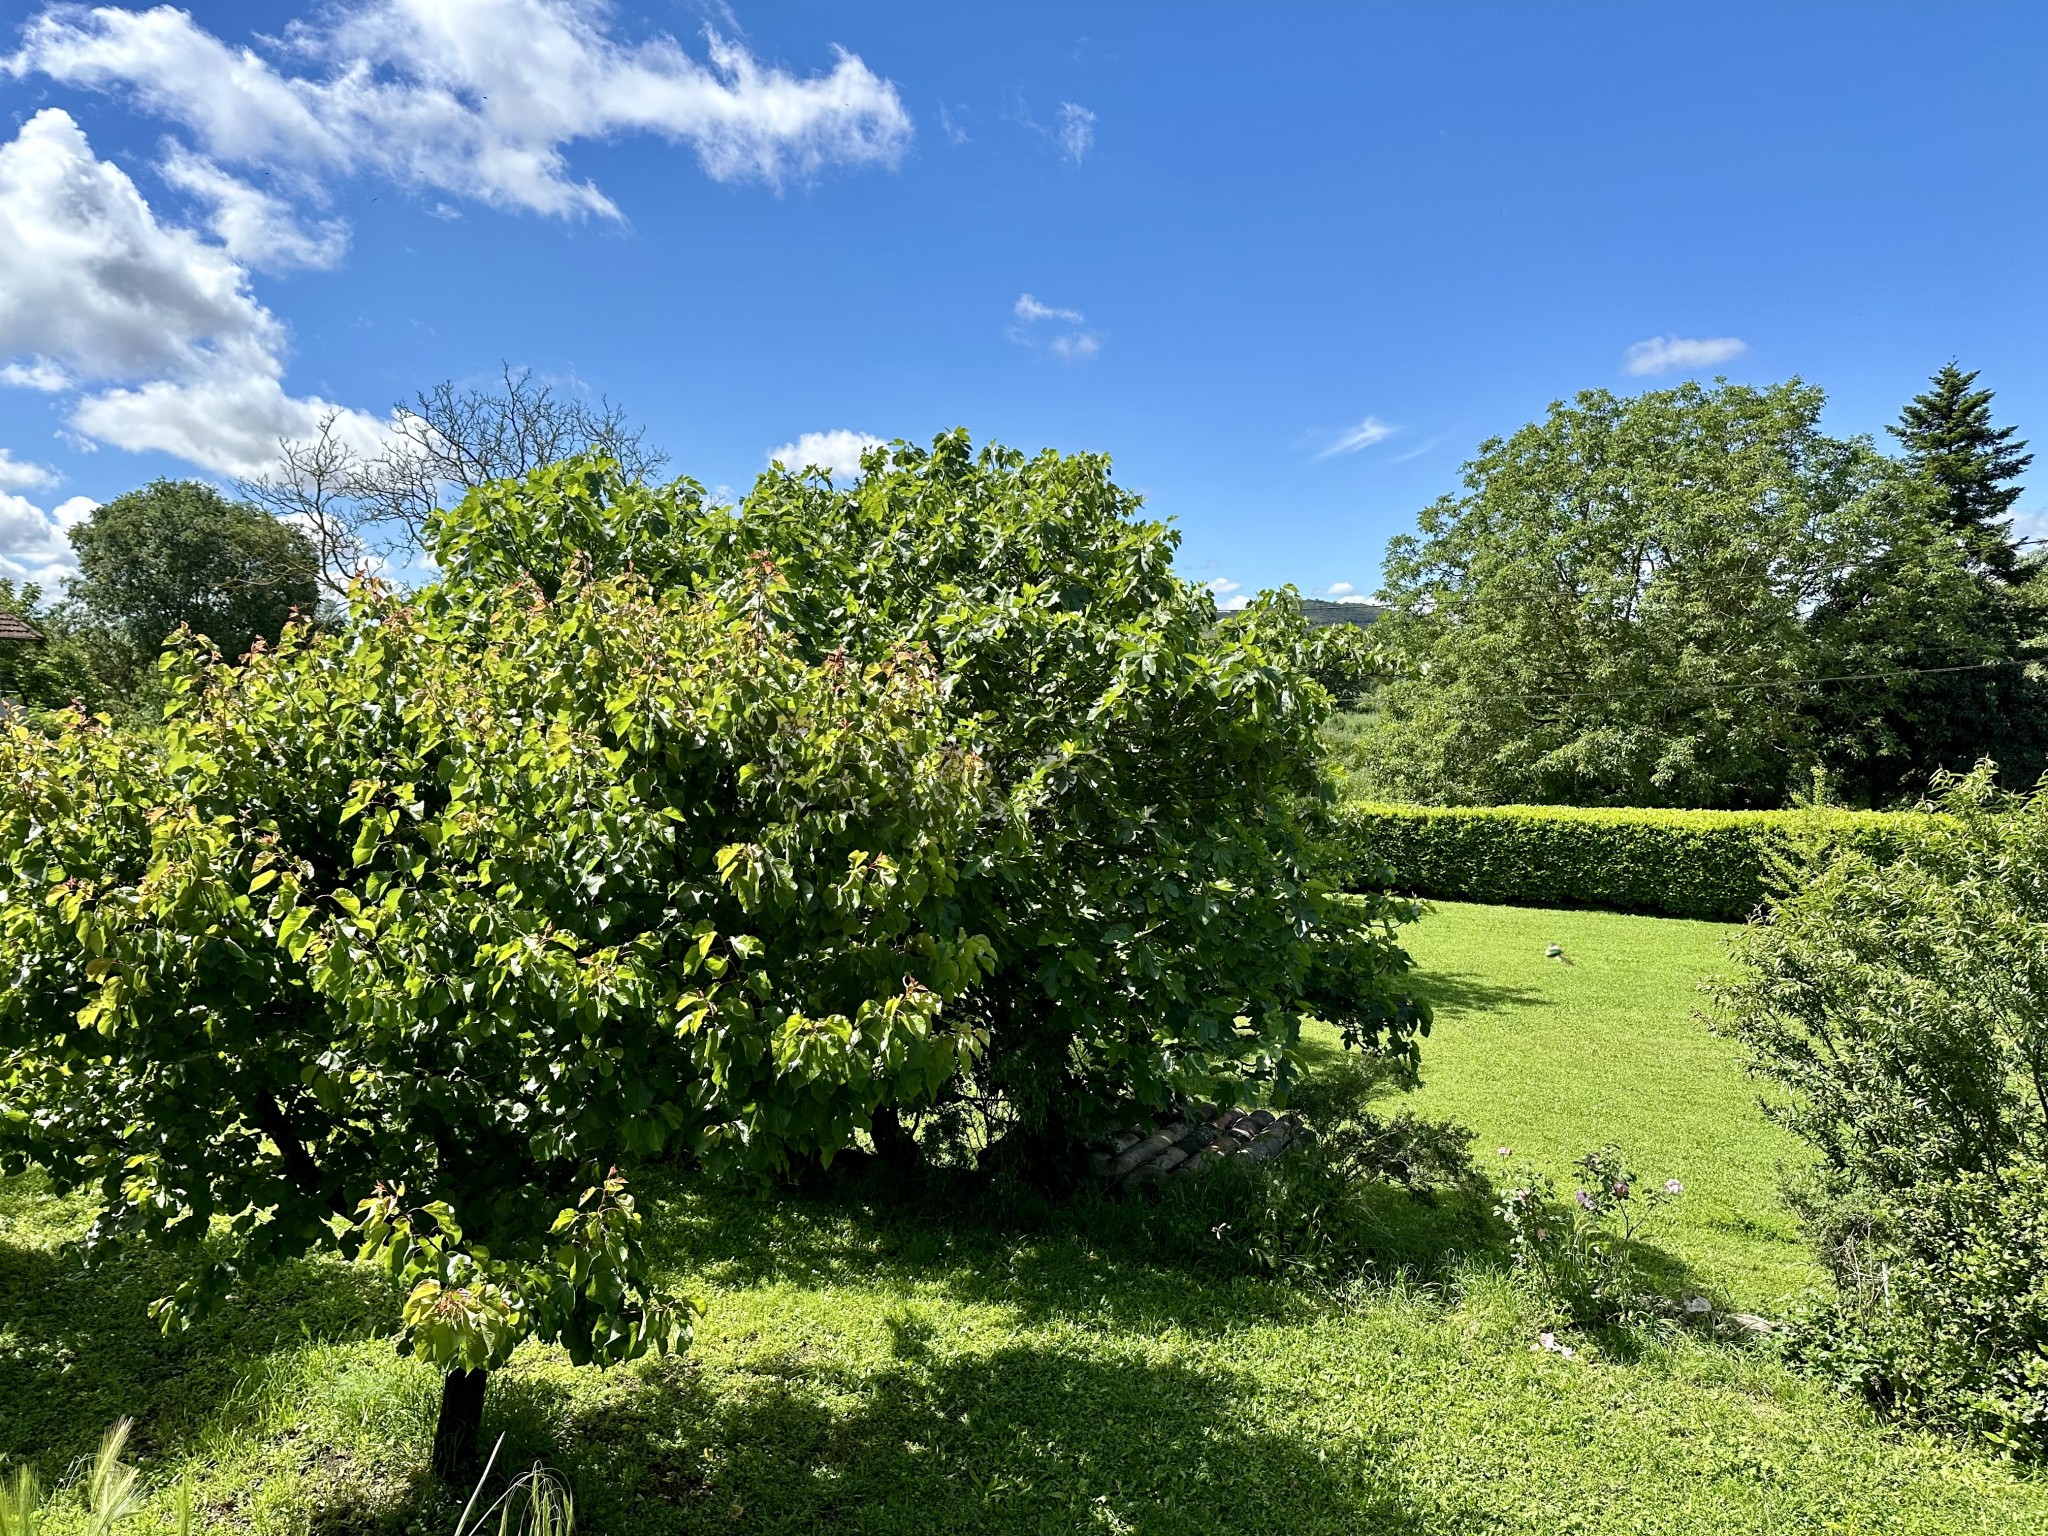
(1949, 437)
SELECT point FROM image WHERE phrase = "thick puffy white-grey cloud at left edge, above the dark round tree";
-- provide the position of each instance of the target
(95, 290)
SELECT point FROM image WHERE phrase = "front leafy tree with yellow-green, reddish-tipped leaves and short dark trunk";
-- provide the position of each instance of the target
(417, 939)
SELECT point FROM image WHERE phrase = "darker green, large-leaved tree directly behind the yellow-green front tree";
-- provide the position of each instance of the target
(1144, 878)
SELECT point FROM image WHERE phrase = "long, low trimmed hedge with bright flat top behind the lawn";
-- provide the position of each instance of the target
(1666, 863)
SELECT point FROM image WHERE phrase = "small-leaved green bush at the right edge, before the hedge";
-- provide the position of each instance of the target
(1900, 1007)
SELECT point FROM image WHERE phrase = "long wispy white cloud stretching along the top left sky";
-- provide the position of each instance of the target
(472, 97)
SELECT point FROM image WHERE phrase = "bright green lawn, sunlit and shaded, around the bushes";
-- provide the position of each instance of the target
(873, 1367)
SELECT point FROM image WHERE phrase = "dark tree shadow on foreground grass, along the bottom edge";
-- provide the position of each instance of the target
(1017, 1441)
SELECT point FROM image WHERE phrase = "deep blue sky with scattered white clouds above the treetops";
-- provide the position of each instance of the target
(1287, 265)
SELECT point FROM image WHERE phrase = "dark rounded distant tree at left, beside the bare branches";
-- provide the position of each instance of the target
(181, 554)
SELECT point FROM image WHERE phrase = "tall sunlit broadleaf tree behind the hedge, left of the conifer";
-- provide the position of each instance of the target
(1611, 611)
